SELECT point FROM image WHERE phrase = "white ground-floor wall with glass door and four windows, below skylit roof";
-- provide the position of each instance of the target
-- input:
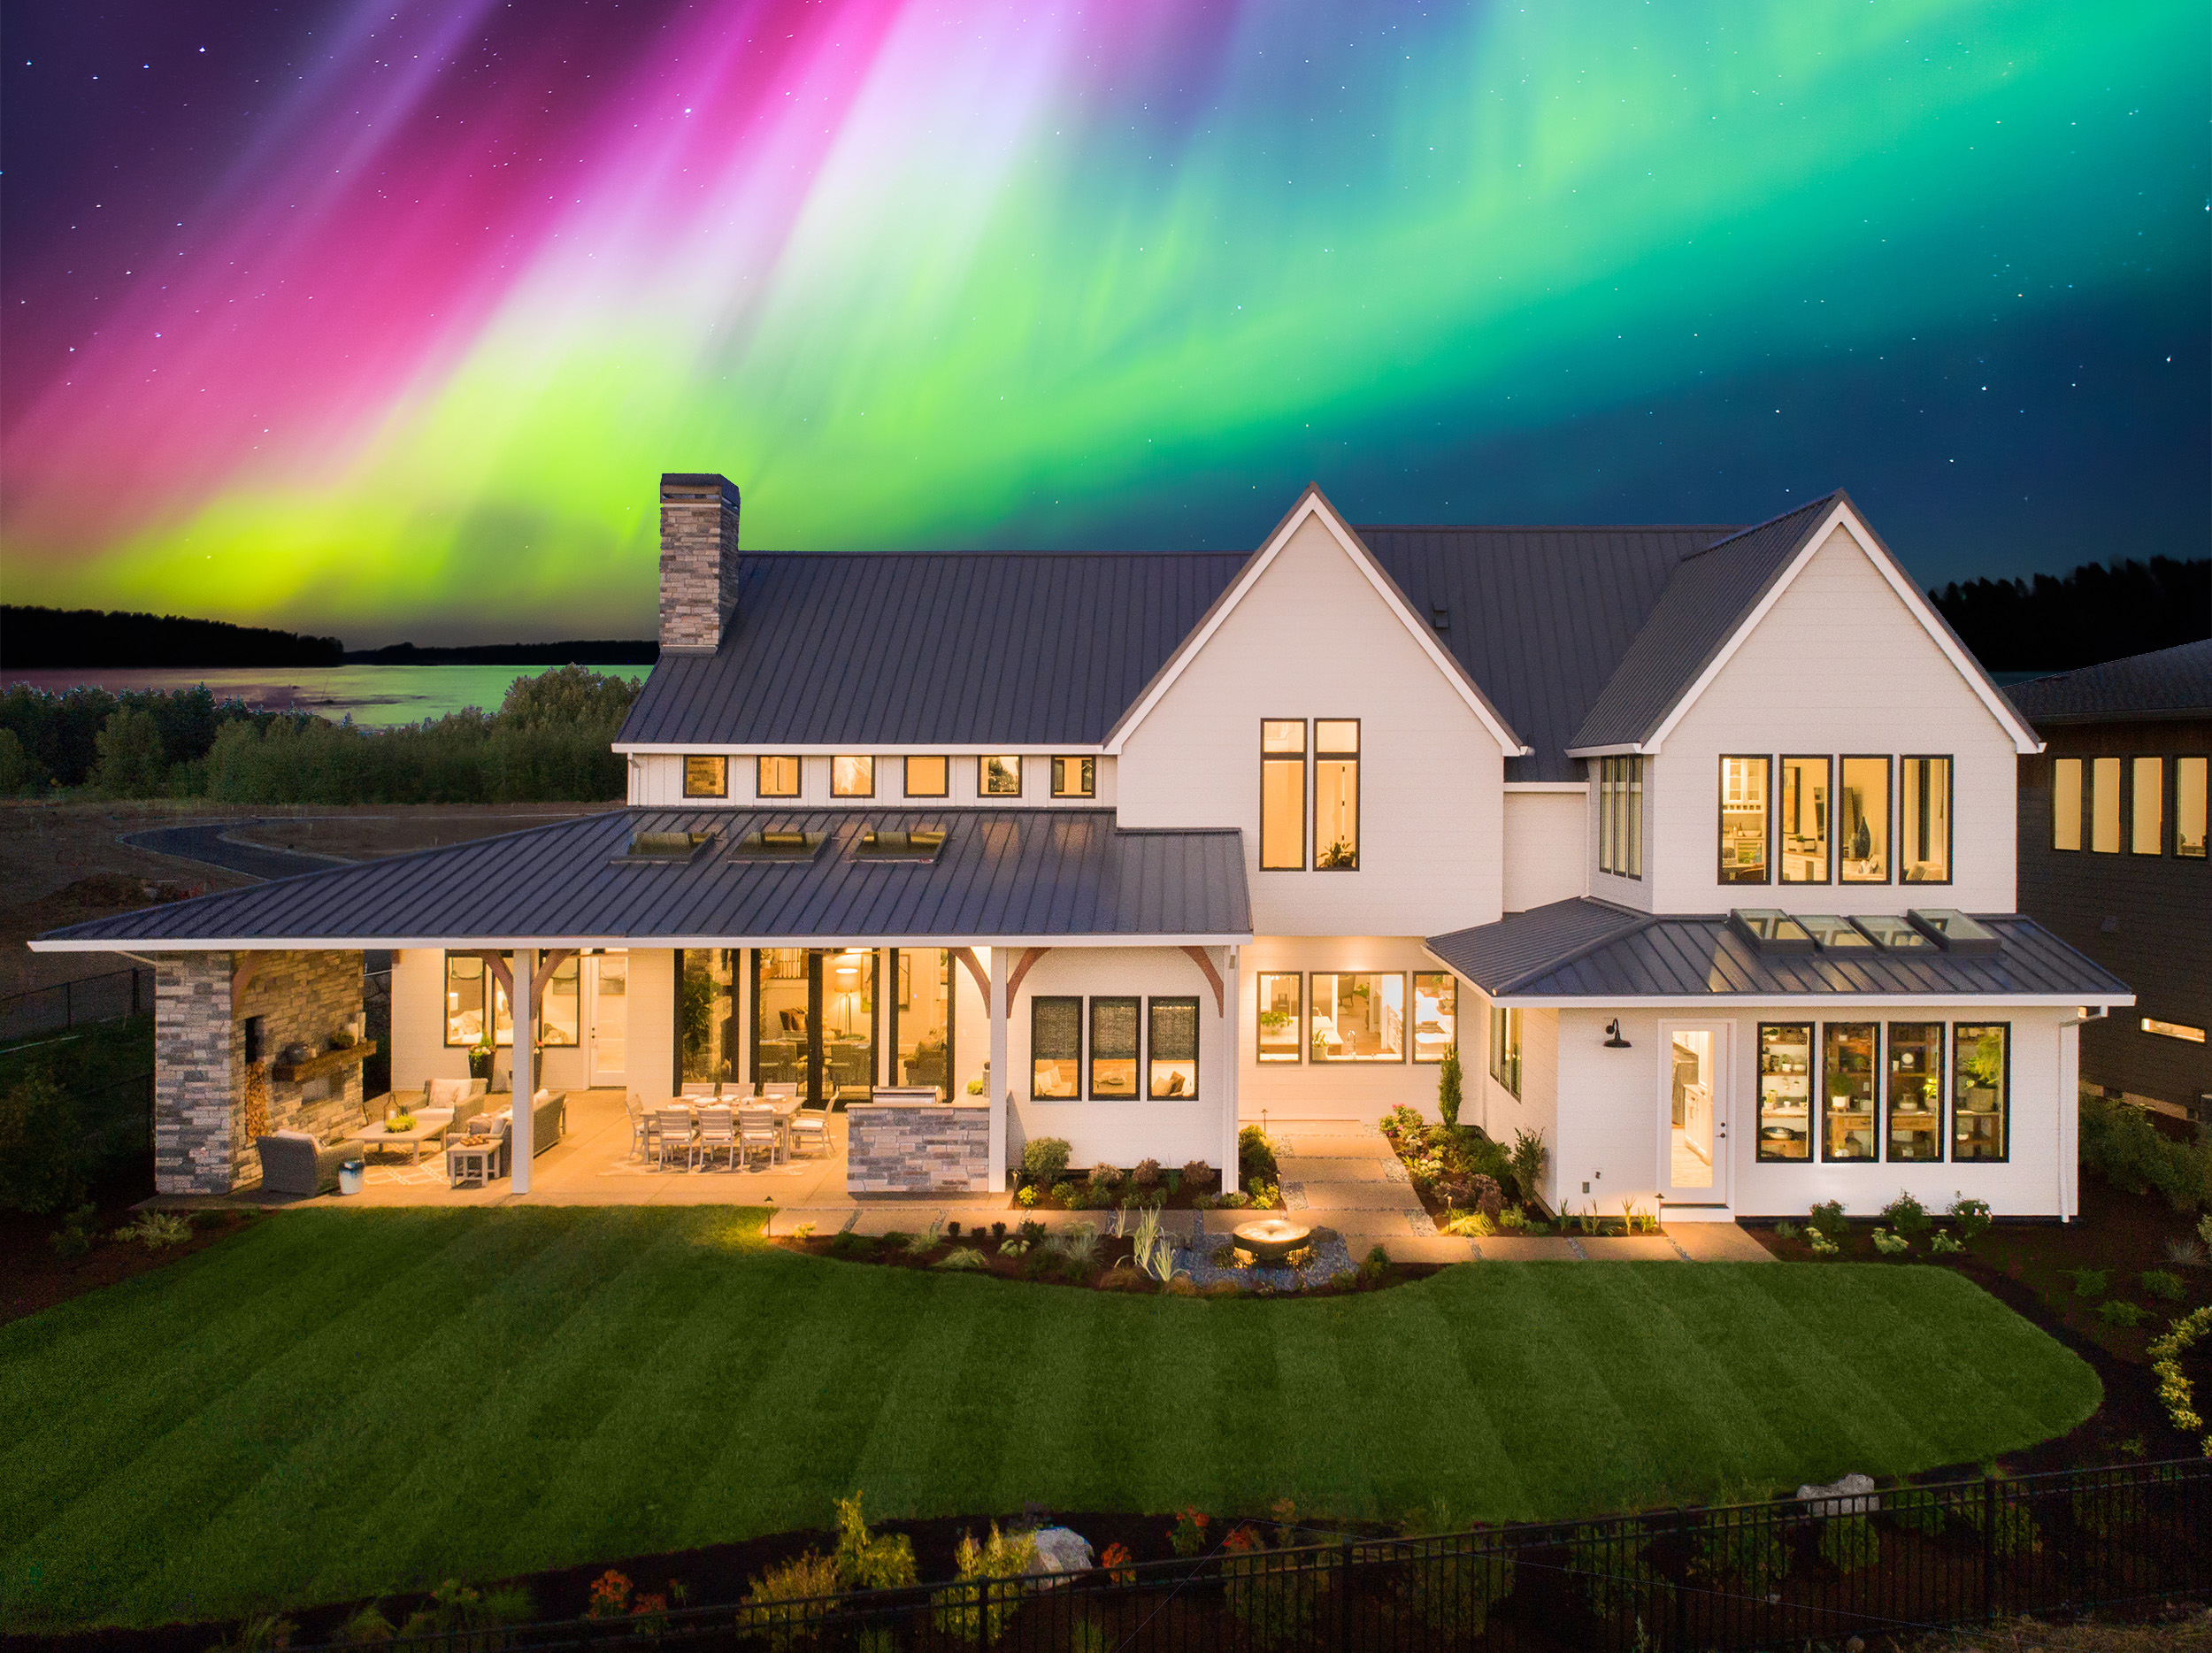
(1614, 1119)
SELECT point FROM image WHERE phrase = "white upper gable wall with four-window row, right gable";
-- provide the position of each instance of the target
(1841, 667)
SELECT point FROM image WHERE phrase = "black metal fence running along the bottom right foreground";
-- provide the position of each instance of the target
(1751, 1577)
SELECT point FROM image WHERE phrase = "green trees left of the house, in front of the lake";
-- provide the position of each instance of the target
(547, 742)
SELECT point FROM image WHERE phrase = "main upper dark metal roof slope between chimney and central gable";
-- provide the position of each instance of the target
(943, 647)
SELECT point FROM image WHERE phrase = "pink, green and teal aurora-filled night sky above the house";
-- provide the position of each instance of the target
(384, 318)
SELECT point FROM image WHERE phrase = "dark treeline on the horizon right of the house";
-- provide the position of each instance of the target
(2098, 612)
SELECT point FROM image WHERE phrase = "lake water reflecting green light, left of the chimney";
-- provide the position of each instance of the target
(373, 696)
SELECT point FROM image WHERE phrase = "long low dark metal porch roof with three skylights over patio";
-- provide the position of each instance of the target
(1003, 873)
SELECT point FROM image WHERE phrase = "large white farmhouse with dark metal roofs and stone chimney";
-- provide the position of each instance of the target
(1671, 831)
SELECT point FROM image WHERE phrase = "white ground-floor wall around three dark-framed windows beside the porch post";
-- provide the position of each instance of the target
(1114, 1132)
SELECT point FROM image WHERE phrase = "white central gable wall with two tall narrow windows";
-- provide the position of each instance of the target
(1311, 641)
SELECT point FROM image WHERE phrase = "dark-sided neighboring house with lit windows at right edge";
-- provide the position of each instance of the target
(2114, 860)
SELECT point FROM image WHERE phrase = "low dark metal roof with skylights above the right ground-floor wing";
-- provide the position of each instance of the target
(1589, 950)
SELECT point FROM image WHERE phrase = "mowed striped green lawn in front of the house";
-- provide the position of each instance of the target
(340, 1404)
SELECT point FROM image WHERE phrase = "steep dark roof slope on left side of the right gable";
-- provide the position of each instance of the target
(1702, 607)
